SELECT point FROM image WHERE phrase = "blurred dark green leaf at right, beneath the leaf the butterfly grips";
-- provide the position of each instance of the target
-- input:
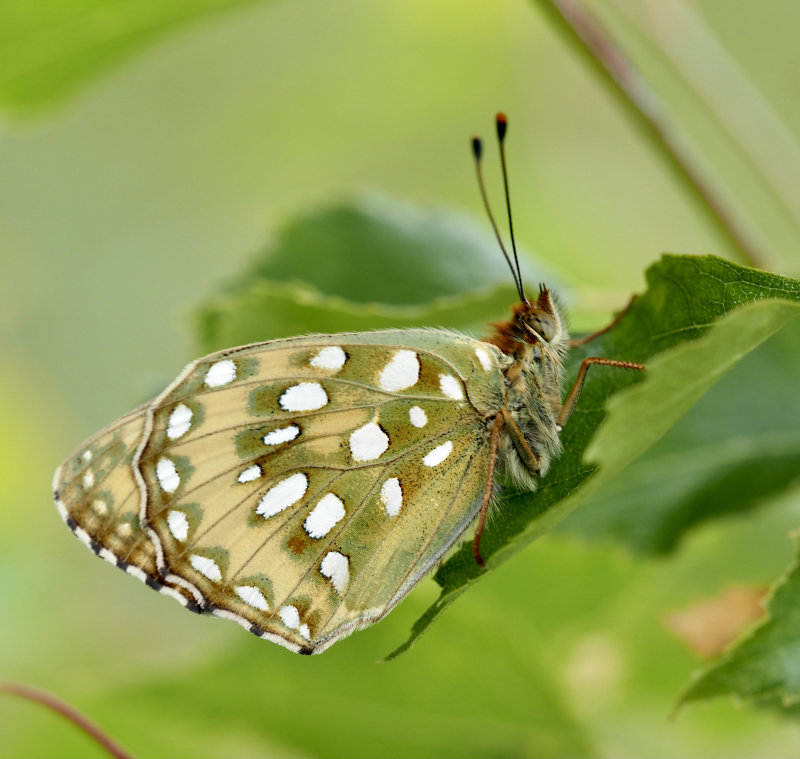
(738, 447)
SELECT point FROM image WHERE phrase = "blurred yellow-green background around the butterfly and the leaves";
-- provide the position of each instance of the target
(128, 197)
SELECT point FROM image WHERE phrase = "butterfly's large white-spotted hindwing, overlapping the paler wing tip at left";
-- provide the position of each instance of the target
(301, 487)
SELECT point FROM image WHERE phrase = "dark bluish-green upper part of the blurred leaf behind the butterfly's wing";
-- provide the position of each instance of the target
(376, 249)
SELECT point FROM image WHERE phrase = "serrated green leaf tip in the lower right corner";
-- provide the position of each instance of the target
(764, 667)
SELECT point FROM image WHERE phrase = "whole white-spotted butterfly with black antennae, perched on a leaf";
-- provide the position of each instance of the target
(302, 487)
